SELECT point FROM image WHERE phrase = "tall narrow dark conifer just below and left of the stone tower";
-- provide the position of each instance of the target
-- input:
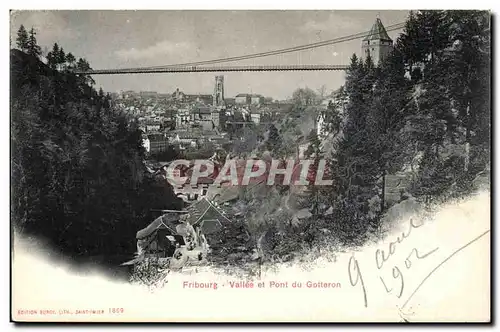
(354, 172)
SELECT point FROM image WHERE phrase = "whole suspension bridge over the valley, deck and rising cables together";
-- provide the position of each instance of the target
(219, 65)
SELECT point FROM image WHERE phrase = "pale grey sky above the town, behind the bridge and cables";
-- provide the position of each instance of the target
(121, 39)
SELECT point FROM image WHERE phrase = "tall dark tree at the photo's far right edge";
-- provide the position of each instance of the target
(467, 68)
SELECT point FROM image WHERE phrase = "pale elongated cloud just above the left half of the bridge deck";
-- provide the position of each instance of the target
(163, 48)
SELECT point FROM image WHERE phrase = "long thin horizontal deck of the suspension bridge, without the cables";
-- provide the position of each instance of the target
(194, 69)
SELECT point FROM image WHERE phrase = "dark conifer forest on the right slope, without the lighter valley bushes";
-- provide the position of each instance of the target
(425, 107)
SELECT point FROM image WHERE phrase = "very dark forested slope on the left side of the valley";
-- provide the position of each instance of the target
(77, 172)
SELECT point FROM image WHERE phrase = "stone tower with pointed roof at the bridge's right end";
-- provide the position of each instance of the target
(377, 44)
